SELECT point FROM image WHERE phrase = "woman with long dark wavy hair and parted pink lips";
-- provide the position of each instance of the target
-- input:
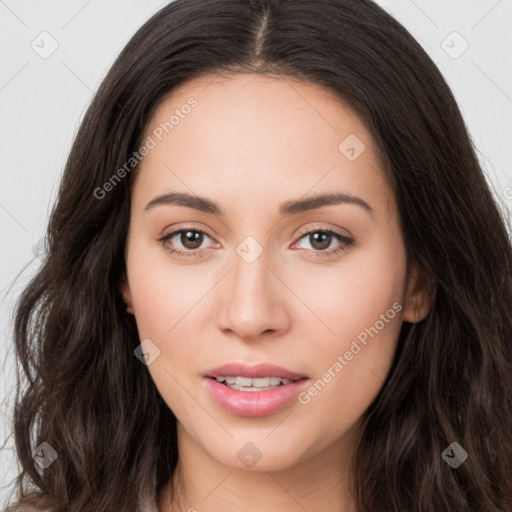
(276, 279)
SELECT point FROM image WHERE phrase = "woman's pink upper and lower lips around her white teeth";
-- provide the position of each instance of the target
(254, 403)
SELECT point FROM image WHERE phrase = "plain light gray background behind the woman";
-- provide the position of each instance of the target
(42, 101)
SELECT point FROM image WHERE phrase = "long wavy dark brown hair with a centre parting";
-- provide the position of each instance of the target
(80, 387)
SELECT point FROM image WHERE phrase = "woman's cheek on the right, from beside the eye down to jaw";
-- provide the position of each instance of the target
(361, 305)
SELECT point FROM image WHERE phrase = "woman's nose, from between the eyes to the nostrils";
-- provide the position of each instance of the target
(252, 300)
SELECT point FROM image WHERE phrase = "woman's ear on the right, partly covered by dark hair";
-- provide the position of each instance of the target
(419, 296)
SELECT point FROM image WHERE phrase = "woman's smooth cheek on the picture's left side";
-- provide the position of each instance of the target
(170, 304)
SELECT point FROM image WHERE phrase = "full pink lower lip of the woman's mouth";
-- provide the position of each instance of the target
(254, 403)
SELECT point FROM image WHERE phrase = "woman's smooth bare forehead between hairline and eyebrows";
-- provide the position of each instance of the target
(271, 137)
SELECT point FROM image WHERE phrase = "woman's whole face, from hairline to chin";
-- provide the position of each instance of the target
(267, 276)
